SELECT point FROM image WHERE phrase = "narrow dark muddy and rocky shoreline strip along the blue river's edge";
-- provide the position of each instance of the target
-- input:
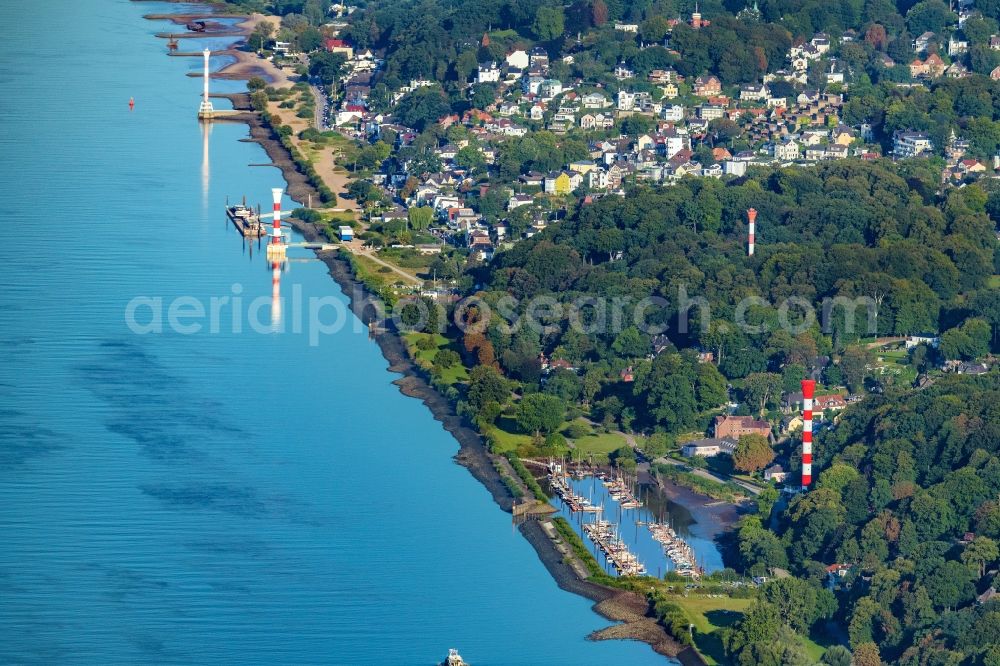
(627, 608)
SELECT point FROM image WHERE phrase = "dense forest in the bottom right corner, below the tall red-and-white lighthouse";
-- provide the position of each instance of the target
(904, 477)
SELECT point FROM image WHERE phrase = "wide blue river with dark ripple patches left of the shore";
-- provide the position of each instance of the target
(215, 496)
